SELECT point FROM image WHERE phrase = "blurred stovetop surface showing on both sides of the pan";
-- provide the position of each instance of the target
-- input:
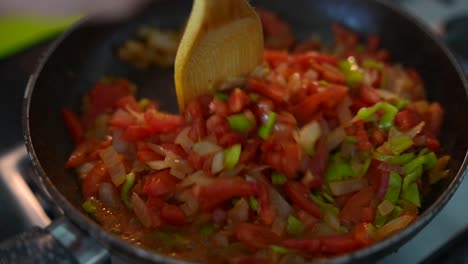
(443, 240)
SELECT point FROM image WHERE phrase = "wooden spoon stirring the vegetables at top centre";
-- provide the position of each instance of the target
(222, 42)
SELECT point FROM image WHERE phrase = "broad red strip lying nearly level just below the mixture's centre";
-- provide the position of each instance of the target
(221, 190)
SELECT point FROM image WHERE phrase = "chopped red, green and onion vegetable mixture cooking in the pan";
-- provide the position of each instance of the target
(318, 154)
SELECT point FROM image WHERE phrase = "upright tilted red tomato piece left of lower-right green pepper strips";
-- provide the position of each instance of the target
(351, 212)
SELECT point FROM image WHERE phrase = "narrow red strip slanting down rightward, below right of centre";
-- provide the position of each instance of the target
(299, 194)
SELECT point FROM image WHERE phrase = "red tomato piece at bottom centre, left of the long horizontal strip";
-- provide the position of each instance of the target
(255, 236)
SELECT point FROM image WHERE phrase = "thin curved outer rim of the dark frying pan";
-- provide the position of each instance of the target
(112, 242)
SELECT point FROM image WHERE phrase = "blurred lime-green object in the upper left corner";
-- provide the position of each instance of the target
(18, 33)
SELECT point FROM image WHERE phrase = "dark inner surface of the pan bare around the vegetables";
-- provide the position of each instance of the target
(88, 53)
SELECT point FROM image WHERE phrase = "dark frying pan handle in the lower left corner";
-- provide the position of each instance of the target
(60, 242)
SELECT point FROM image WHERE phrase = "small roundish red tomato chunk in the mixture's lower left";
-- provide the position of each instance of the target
(160, 183)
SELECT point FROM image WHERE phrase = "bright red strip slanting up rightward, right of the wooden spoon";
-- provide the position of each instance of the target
(312, 104)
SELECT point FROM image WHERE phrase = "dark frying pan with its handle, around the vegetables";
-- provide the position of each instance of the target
(88, 52)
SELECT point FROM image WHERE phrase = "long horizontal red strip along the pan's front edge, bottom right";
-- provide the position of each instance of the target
(328, 245)
